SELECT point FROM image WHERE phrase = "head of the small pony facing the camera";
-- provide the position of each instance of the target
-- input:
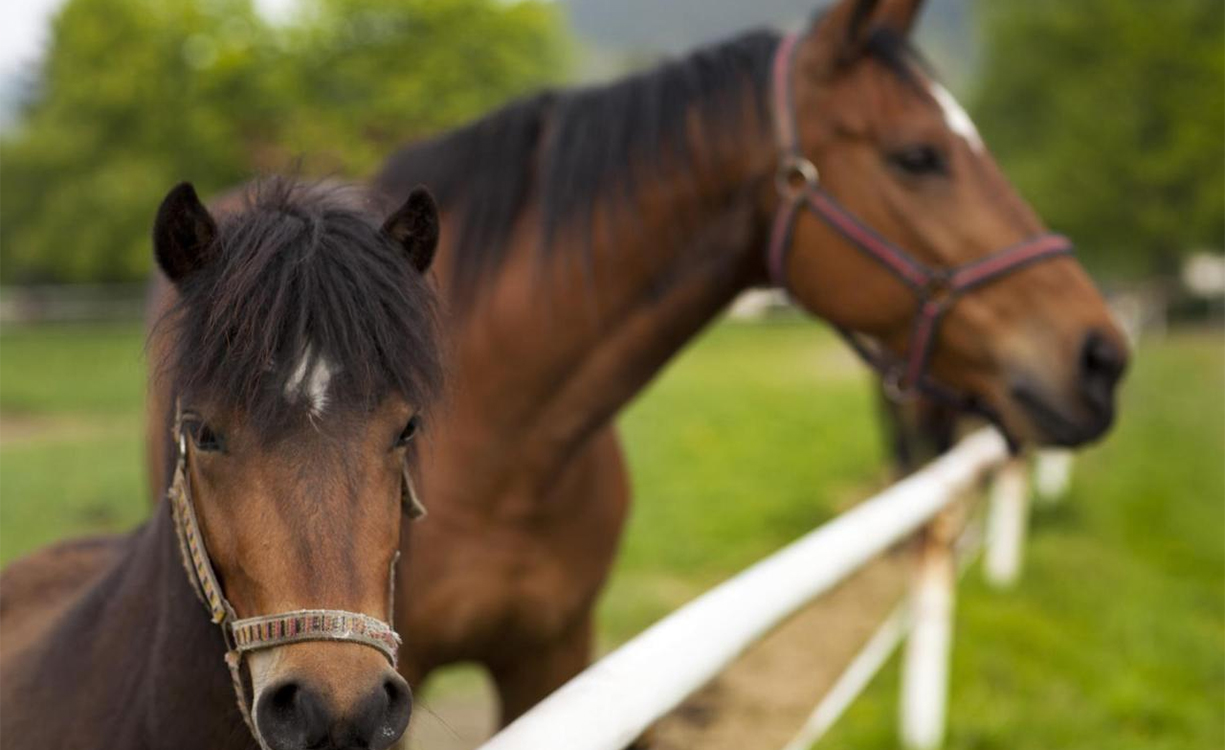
(304, 357)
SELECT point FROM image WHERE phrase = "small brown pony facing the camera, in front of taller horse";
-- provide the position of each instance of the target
(302, 350)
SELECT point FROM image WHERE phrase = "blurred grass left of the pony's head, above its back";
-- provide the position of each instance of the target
(73, 459)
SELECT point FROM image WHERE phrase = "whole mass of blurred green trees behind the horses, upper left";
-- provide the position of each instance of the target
(138, 95)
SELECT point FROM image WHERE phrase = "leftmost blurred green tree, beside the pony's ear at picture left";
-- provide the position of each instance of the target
(134, 95)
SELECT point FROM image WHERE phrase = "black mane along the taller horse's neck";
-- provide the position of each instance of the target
(569, 150)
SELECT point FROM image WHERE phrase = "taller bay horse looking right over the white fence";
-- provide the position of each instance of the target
(594, 232)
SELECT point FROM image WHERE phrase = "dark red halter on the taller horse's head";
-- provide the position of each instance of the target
(935, 290)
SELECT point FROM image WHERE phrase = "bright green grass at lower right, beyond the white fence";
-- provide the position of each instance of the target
(1115, 637)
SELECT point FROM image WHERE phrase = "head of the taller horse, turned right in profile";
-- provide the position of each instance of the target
(1033, 344)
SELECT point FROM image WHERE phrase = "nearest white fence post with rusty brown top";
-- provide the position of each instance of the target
(927, 659)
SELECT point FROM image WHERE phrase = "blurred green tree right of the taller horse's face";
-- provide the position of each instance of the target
(1110, 117)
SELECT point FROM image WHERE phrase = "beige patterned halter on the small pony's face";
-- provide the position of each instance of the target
(246, 635)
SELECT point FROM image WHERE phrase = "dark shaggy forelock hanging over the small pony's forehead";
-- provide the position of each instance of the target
(296, 269)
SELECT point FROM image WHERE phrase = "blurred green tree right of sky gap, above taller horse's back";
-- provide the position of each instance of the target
(369, 75)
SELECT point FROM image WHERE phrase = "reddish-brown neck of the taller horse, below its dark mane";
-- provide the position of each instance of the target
(554, 352)
